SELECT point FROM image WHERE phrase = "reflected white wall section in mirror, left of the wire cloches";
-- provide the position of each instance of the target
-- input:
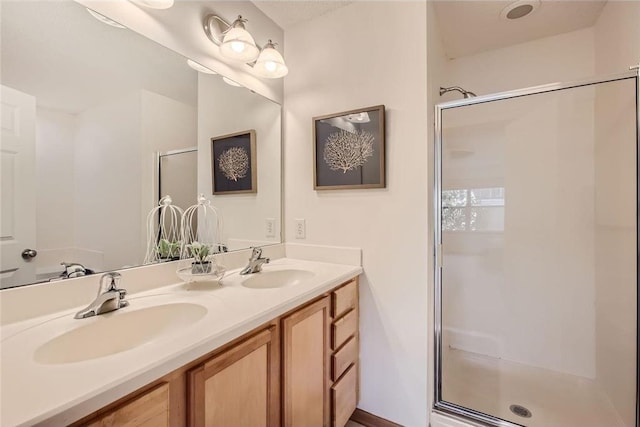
(108, 178)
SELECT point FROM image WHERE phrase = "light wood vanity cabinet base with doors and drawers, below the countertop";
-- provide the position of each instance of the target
(299, 369)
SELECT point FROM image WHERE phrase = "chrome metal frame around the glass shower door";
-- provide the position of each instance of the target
(449, 408)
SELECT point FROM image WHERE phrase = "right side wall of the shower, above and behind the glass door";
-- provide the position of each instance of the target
(617, 36)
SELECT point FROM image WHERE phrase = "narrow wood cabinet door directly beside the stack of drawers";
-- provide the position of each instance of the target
(305, 337)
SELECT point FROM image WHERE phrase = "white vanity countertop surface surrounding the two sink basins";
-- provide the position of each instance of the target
(58, 394)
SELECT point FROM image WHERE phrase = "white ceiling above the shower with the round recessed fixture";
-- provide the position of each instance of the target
(468, 26)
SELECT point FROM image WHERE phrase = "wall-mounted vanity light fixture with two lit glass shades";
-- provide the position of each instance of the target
(236, 43)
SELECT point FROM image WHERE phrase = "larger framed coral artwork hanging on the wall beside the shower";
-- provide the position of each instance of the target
(348, 150)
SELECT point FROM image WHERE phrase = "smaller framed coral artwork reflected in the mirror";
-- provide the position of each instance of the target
(233, 163)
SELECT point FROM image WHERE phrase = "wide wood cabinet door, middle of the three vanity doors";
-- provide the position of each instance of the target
(240, 387)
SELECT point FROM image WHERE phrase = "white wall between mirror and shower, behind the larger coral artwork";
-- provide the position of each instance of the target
(338, 66)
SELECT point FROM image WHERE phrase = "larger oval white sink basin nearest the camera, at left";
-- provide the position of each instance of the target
(117, 331)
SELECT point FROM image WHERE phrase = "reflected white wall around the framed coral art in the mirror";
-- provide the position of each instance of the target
(223, 110)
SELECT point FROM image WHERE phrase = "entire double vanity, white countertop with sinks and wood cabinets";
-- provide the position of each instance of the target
(274, 348)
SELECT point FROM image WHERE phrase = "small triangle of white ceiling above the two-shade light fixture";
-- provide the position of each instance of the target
(289, 13)
